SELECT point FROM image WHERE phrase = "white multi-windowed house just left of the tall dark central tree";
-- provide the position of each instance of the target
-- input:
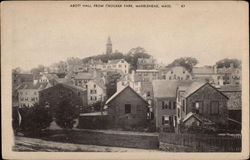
(96, 91)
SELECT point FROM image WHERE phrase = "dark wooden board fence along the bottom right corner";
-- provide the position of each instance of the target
(202, 142)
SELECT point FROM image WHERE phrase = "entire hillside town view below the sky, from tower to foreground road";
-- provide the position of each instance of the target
(128, 102)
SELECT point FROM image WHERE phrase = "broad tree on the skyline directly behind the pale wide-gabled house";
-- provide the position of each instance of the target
(187, 62)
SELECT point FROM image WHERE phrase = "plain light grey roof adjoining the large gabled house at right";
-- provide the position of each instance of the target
(167, 88)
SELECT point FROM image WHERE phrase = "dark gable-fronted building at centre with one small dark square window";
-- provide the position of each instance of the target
(127, 108)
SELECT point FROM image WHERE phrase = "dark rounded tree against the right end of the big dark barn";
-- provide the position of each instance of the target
(66, 113)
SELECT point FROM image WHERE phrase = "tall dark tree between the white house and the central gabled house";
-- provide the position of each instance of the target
(112, 78)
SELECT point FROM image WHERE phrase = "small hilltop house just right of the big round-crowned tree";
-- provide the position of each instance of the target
(146, 63)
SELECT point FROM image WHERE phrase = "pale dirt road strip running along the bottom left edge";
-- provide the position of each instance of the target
(38, 145)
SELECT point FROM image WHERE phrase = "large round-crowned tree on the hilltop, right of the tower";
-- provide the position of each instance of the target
(133, 55)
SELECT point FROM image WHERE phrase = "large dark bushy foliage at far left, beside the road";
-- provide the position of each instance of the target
(34, 119)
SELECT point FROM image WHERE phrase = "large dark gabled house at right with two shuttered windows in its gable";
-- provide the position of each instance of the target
(204, 100)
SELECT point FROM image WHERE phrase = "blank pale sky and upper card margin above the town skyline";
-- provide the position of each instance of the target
(45, 33)
